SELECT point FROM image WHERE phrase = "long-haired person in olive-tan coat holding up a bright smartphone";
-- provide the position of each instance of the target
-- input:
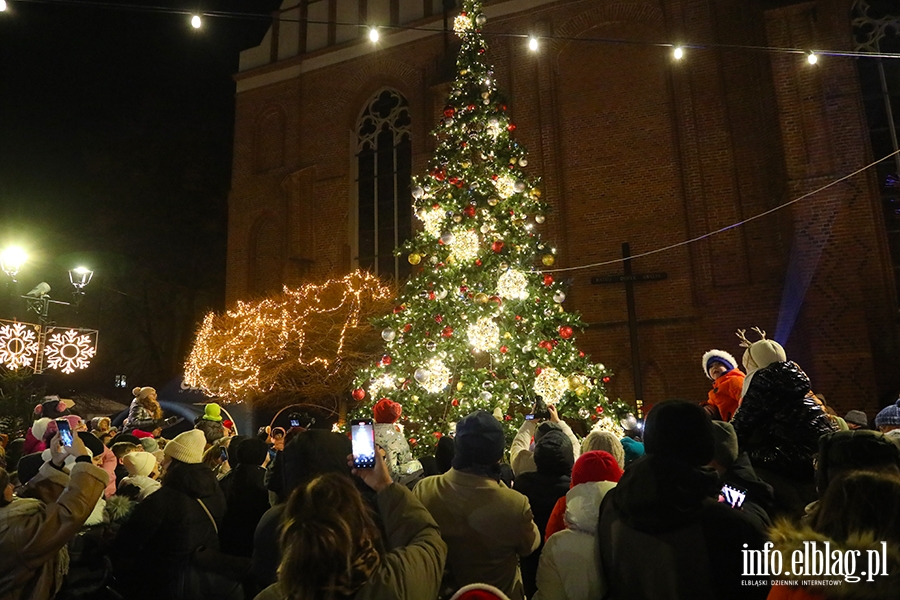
(328, 526)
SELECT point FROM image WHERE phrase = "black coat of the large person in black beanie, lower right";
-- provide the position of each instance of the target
(663, 537)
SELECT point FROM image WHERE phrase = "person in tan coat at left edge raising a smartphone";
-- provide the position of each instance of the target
(35, 529)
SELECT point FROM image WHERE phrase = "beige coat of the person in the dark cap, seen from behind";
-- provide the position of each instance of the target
(486, 525)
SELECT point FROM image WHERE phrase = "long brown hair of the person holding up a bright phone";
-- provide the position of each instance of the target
(329, 541)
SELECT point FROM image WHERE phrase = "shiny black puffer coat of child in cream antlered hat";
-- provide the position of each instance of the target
(779, 423)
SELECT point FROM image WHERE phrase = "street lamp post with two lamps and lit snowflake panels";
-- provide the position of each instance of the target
(40, 346)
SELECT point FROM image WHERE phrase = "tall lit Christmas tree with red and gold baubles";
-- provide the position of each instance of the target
(480, 327)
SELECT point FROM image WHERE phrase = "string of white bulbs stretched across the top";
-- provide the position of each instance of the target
(533, 42)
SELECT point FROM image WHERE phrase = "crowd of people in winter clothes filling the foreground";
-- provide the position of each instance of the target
(684, 507)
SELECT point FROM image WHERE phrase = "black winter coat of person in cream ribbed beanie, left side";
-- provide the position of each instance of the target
(153, 548)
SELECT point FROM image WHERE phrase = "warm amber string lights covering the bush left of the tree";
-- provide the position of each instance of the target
(306, 341)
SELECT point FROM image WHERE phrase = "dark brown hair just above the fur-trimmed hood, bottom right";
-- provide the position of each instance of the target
(858, 503)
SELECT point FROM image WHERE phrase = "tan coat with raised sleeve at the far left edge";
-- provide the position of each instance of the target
(32, 534)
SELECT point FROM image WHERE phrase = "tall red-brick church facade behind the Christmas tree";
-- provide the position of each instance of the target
(631, 145)
